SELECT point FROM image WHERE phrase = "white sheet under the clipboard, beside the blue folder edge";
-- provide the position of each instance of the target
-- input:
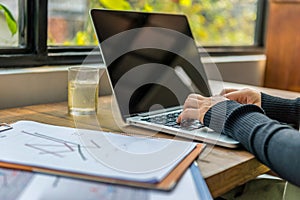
(44, 187)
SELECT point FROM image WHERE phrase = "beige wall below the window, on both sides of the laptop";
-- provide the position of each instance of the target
(29, 86)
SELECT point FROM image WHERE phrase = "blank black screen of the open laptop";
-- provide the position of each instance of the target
(146, 78)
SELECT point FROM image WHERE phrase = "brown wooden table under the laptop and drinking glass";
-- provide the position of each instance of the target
(222, 168)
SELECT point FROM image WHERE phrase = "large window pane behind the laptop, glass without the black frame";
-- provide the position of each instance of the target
(214, 23)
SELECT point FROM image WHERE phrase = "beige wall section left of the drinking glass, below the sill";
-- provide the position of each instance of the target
(20, 89)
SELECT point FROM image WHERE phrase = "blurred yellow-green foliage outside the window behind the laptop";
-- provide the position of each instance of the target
(213, 22)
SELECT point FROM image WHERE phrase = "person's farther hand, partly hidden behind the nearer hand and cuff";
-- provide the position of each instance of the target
(243, 96)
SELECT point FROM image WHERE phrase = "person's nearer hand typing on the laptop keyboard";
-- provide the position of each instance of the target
(196, 106)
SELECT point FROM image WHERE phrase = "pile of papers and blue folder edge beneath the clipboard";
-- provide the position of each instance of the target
(20, 185)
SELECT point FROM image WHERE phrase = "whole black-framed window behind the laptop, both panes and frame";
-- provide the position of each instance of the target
(60, 32)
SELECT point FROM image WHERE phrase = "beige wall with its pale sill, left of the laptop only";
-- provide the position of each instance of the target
(21, 87)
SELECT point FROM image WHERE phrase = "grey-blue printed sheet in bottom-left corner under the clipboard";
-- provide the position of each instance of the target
(13, 182)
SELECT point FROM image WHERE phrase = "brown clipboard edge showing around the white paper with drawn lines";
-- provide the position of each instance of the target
(167, 183)
